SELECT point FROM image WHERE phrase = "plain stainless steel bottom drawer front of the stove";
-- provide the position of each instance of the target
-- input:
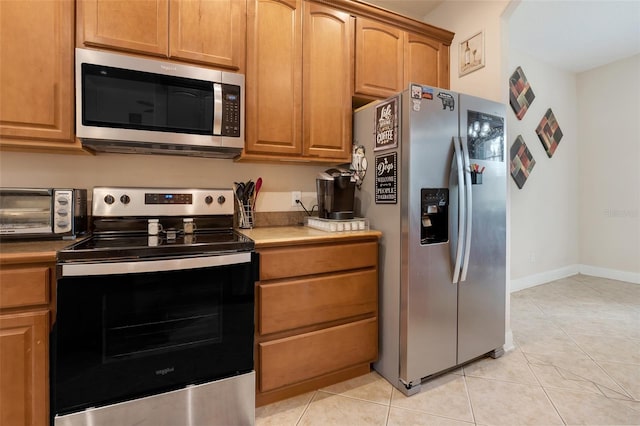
(228, 401)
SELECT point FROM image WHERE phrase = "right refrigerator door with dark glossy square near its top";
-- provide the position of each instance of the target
(481, 298)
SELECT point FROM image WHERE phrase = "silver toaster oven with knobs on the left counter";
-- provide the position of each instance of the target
(42, 213)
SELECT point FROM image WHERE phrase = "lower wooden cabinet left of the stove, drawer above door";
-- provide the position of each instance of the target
(24, 345)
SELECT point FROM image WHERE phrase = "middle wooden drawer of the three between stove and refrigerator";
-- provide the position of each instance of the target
(299, 303)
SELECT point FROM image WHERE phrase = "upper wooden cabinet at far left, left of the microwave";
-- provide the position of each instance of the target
(36, 53)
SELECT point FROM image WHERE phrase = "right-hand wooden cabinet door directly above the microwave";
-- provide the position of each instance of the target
(209, 32)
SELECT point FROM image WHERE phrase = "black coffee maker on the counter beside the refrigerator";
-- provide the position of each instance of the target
(336, 191)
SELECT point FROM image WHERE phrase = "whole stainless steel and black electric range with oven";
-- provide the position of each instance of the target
(155, 313)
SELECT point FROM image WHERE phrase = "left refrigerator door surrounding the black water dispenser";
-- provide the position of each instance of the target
(428, 309)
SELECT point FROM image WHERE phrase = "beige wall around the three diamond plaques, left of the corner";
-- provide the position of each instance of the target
(544, 213)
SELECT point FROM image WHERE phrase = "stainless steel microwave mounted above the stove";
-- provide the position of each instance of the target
(130, 104)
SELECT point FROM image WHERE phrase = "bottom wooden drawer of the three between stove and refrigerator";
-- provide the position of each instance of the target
(295, 359)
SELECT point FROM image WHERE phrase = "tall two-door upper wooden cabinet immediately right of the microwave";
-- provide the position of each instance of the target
(298, 90)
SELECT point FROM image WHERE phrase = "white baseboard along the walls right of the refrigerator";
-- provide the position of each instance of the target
(556, 274)
